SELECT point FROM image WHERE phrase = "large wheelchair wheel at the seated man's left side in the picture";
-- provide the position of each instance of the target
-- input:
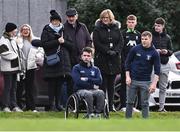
(72, 107)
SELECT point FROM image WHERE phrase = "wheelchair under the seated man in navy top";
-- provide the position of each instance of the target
(76, 105)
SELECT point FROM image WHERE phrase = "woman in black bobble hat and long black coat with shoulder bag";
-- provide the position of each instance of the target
(52, 39)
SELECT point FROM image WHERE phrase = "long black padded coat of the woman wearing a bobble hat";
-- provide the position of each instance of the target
(50, 45)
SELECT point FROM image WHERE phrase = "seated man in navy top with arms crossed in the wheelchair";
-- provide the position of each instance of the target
(87, 79)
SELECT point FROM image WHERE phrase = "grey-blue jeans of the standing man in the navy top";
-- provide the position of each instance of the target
(143, 86)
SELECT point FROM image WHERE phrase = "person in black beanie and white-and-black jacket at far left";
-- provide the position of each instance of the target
(10, 66)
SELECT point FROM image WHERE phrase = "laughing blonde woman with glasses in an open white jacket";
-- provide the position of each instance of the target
(28, 62)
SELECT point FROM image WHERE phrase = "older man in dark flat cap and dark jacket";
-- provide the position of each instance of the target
(78, 33)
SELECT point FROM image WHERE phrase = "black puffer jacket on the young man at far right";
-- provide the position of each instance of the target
(163, 41)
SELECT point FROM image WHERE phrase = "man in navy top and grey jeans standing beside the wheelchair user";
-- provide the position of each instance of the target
(139, 64)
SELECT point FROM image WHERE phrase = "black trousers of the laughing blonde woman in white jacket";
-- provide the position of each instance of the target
(27, 85)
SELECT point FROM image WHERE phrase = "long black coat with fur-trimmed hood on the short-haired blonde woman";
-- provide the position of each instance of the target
(106, 38)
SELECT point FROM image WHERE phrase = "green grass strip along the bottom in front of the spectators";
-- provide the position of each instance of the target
(49, 121)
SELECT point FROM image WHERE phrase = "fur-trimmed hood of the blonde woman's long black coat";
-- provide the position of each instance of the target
(115, 23)
